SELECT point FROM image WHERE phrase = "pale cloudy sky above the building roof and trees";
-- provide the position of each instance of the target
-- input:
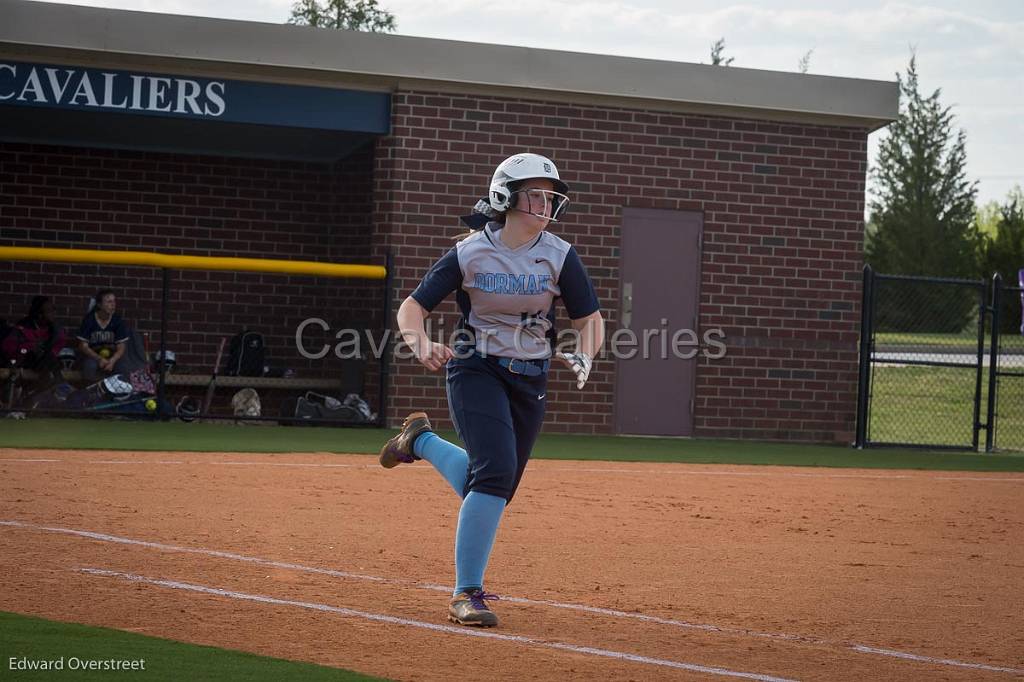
(973, 52)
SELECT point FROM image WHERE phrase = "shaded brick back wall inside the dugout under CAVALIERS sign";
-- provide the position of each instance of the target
(207, 206)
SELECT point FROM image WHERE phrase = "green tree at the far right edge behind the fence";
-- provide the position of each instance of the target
(1005, 254)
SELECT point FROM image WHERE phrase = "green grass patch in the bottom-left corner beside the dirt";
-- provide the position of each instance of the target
(38, 640)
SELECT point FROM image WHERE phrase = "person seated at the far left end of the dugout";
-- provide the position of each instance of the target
(35, 343)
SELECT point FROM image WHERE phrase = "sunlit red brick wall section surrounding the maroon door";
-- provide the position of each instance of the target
(784, 211)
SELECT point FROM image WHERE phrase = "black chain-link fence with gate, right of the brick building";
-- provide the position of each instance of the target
(941, 364)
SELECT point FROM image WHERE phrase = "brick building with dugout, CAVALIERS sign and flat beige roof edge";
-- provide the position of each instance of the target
(717, 200)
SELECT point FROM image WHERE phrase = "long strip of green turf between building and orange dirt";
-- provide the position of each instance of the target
(105, 435)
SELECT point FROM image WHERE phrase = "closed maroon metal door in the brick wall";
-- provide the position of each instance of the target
(660, 294)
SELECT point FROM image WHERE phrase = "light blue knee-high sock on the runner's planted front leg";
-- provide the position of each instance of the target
(475, 539)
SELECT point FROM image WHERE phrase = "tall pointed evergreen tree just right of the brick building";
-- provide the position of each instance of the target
(924, 210)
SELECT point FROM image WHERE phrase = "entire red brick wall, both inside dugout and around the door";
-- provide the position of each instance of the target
(783, 207)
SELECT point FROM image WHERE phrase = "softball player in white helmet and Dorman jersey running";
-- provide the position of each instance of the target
(506, 276)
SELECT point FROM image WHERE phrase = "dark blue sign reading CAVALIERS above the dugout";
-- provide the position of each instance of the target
(192, 98)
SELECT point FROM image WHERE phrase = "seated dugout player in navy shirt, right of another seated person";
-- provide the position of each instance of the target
(106, 345)
